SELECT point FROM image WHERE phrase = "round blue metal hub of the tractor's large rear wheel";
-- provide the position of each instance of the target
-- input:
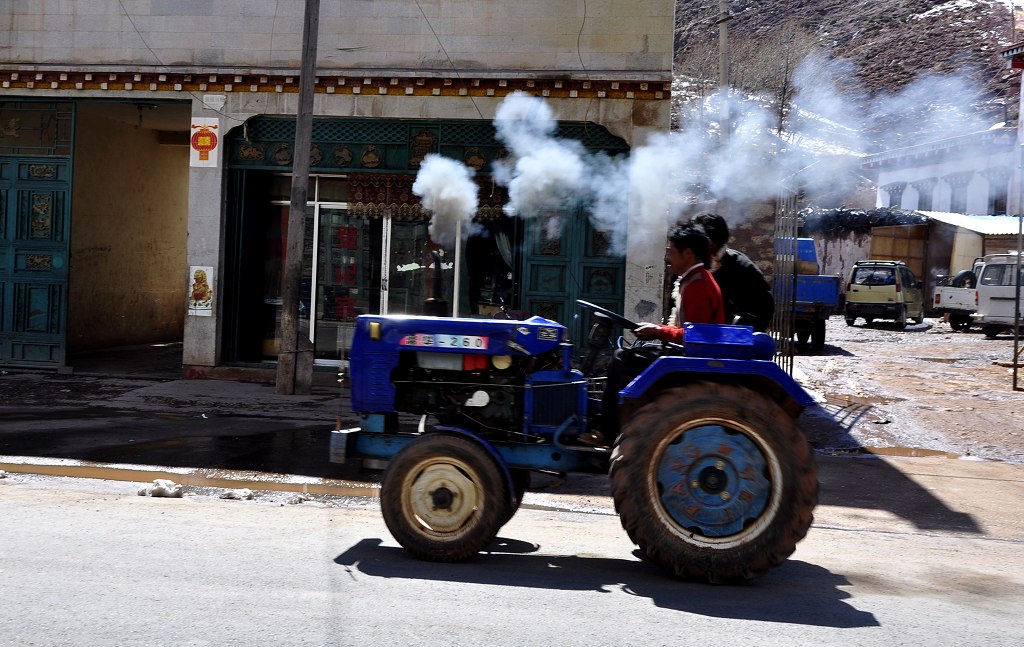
(713, 481)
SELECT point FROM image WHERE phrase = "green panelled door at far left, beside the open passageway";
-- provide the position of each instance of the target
(35, 220)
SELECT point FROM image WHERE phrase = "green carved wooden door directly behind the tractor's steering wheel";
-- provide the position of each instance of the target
(566, 260)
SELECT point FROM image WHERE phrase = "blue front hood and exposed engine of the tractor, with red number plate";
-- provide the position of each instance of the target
(493, 377)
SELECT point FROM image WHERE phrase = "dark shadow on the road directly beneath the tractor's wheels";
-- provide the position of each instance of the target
(795, 593)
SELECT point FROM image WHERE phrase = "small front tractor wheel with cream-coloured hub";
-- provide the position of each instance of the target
(445, 498)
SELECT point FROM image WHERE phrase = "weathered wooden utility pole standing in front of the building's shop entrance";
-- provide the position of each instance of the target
(295, 360)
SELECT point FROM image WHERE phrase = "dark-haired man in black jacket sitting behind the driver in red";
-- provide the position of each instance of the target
(746, 292)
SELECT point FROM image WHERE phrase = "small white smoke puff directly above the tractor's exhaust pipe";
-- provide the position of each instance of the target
(450, 195)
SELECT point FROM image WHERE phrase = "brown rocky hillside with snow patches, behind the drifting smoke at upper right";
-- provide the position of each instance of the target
(879, 54)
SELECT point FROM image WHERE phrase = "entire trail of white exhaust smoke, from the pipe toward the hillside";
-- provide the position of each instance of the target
(663, 180)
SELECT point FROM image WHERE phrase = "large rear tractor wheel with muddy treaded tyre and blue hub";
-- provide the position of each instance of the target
(714, 483)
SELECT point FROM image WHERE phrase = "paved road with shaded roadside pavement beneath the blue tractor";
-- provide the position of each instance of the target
(904, 551)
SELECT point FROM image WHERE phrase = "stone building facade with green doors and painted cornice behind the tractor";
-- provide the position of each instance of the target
(146, 151)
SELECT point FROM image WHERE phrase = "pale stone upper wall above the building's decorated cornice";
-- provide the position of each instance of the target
(450, 37)
